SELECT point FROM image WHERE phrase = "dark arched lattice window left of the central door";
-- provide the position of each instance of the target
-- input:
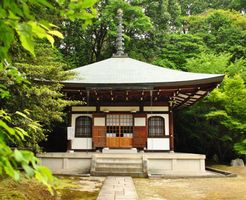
(83, 127)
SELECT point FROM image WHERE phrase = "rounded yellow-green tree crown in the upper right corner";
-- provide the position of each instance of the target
(222, 31)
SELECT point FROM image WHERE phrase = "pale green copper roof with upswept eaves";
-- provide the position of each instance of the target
(124, 70)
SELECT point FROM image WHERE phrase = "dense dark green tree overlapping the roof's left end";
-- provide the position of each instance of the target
(41, 95)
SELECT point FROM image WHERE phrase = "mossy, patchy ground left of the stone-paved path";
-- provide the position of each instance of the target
(74, 188)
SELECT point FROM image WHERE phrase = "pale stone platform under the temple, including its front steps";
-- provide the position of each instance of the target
(144, 164)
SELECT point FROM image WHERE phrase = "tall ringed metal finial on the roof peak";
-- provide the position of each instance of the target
(120, 40)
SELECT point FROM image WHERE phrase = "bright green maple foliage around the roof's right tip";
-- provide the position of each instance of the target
(220, 119)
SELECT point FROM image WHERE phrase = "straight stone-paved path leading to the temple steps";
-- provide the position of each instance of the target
(118, 188)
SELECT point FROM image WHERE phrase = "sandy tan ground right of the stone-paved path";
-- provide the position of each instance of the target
(233, 188)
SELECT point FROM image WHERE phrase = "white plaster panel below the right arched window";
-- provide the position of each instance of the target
(158, 144)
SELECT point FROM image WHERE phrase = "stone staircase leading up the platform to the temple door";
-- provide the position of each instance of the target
(115, 165)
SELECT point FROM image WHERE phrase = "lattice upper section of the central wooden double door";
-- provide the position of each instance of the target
(119, 125)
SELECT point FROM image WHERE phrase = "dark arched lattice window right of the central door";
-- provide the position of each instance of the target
(156, 126)
